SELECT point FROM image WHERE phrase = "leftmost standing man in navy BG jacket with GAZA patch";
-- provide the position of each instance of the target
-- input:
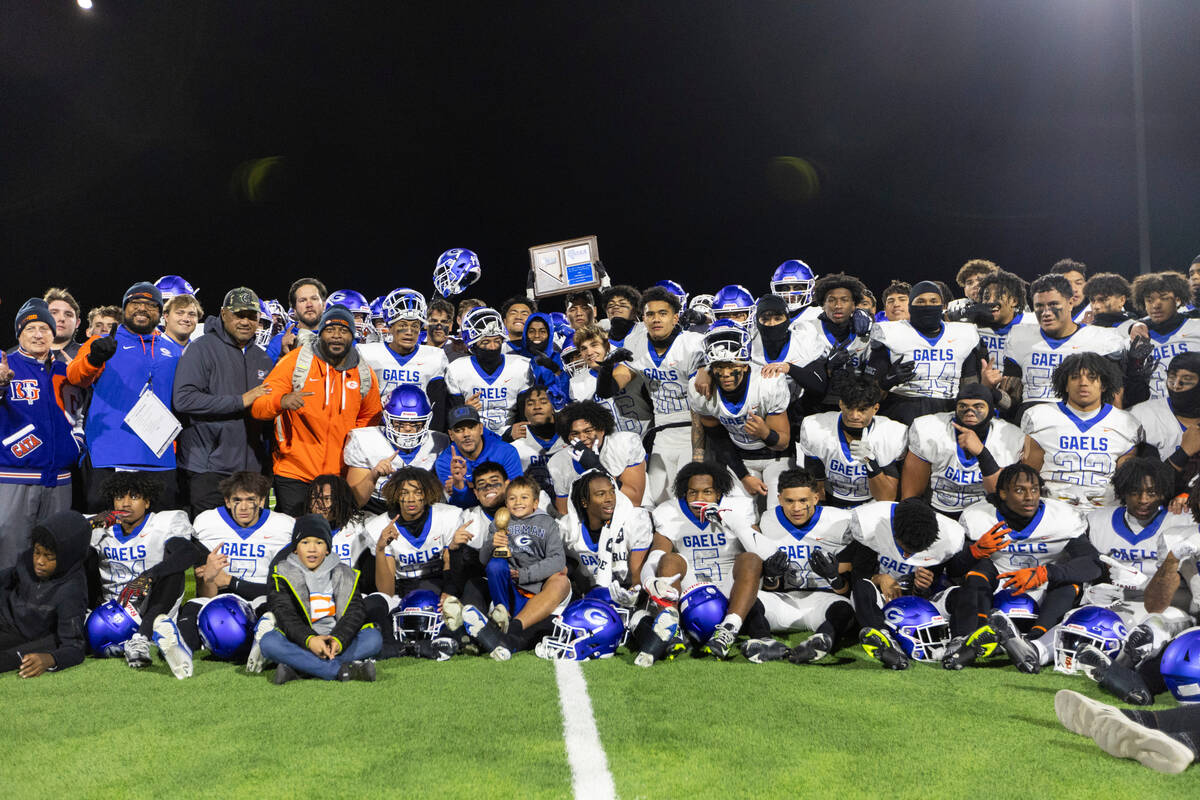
(39, 443)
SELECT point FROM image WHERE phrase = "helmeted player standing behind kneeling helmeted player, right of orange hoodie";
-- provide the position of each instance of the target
(403, 360)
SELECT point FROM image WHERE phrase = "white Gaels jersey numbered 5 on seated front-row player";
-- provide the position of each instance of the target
(710, 549)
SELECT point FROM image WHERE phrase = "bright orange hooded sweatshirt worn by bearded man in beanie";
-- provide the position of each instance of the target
(310, 440)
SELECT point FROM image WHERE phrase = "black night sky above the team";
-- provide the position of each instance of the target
(256, 142)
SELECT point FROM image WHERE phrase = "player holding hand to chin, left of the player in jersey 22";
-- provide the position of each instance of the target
(955, 458)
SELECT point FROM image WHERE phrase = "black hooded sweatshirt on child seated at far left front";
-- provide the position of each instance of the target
(55, 606)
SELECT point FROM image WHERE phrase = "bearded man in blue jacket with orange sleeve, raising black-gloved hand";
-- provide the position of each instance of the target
(118, 368)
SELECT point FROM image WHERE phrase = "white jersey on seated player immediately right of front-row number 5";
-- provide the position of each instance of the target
(827, 531)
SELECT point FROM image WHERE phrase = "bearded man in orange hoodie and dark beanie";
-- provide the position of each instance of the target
(311, 423)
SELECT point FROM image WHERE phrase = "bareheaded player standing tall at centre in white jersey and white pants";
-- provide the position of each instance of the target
(668, 357)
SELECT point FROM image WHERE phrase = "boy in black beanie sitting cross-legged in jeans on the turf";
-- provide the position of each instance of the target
(319, 612)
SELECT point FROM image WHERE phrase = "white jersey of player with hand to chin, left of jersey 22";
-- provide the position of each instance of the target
(955, 478)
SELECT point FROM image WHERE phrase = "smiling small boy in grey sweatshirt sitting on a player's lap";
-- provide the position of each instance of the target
(531, 584)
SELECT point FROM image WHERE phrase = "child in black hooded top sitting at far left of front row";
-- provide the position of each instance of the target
(44, 599)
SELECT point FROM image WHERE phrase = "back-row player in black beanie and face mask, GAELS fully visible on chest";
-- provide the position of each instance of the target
(944, 356)
